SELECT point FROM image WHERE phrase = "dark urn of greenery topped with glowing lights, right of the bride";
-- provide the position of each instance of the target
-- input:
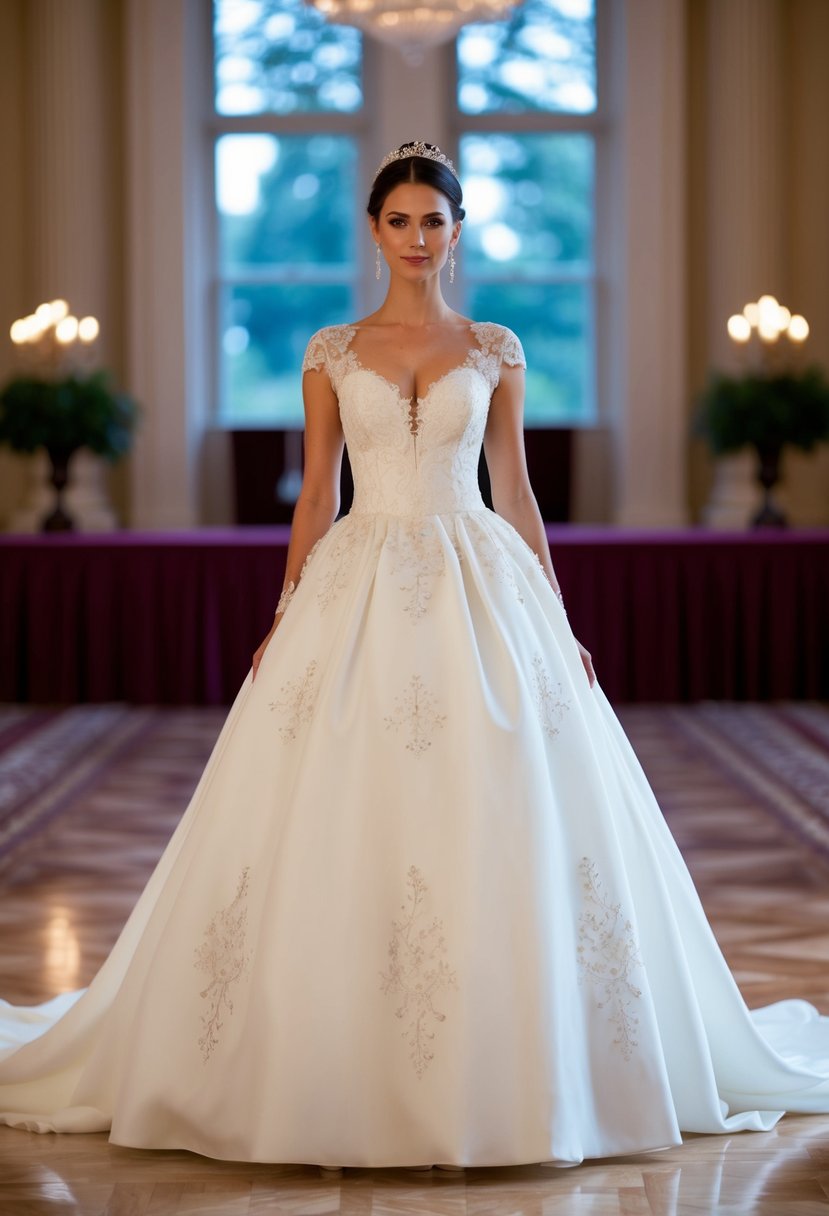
(768, 408)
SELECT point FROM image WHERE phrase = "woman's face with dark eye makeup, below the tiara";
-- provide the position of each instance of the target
(415, 230)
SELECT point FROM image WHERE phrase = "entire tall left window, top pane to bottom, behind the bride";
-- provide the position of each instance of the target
(286, 198)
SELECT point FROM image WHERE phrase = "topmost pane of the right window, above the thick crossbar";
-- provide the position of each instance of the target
(543, 58)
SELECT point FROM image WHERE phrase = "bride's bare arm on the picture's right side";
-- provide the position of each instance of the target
(512, 494)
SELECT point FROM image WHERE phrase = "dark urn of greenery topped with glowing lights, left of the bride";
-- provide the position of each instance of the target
(63, 409)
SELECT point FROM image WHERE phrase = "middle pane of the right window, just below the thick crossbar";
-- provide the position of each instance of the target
(529, 202)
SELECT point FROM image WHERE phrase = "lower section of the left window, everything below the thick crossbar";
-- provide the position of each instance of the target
(286, 239)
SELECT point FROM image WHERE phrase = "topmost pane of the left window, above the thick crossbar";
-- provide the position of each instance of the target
(283, 58)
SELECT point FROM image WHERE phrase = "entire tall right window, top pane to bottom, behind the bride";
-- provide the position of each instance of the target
(529, 234)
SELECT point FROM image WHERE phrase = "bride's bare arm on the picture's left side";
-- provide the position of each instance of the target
(319, 499)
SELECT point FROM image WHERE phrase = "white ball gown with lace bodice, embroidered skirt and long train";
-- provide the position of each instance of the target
(424, 905)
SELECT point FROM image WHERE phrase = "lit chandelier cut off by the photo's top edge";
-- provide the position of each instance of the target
(413, 25)
